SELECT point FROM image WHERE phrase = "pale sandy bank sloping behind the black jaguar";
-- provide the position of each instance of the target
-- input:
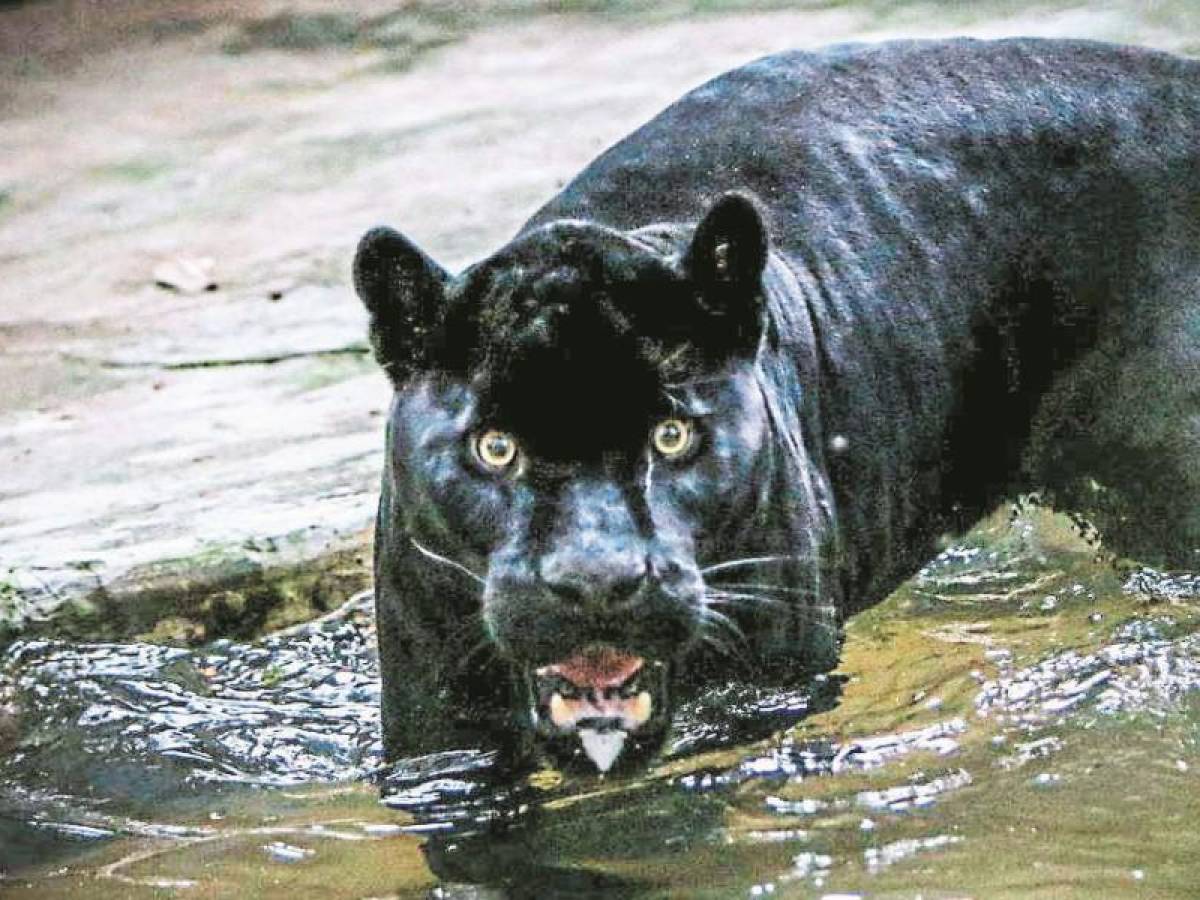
(147, 430)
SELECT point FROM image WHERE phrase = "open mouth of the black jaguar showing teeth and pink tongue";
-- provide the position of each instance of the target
(602, 697)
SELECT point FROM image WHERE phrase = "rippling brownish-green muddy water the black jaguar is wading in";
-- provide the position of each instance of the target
(1019, 721)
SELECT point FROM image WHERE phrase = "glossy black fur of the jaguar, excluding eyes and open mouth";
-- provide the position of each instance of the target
(892, 285)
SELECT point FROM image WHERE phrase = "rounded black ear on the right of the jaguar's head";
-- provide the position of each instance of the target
(725, 262)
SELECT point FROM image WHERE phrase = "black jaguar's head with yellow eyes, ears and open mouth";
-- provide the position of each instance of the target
(579, 429)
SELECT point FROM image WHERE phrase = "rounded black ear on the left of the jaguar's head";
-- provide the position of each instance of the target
(405, 295)
